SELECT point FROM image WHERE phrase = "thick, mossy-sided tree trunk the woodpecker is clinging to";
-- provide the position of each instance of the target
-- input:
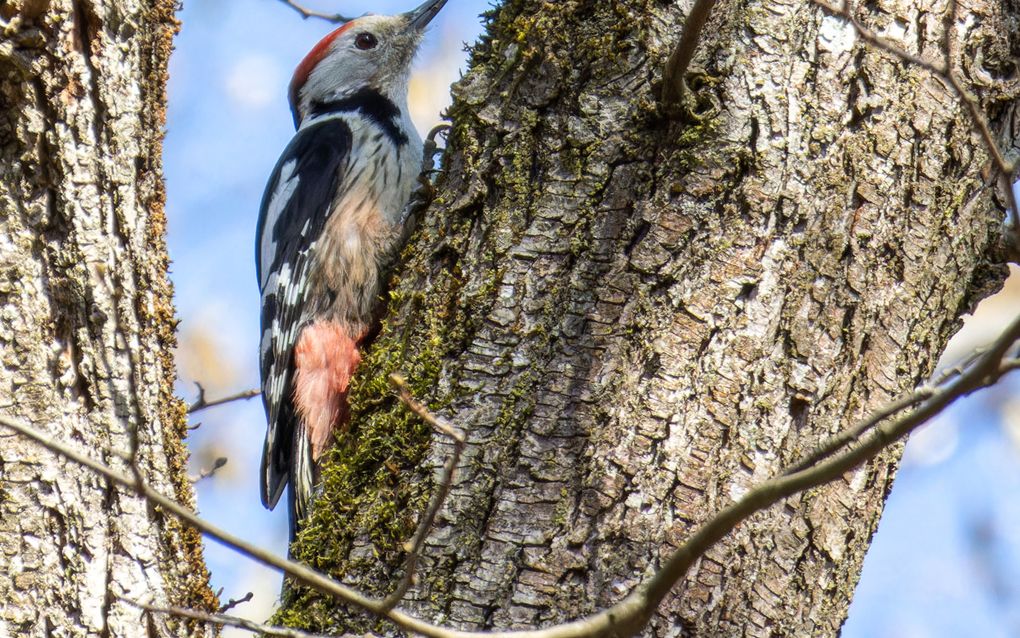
(637, 318)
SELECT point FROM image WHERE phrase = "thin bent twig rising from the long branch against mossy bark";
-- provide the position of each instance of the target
(446, 482)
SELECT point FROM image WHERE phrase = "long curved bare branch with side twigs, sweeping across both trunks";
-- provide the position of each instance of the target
(627, 618)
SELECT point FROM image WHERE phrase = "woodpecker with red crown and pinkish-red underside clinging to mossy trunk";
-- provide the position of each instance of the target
(331, 220)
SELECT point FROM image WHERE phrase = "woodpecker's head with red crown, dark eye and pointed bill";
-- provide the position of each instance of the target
(371, 53)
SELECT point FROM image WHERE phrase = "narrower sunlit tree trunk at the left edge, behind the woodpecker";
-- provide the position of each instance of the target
(87, 322)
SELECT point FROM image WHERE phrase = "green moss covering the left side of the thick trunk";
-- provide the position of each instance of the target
(537, 58)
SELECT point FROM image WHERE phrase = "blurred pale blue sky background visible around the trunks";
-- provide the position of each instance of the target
(945, 560)
